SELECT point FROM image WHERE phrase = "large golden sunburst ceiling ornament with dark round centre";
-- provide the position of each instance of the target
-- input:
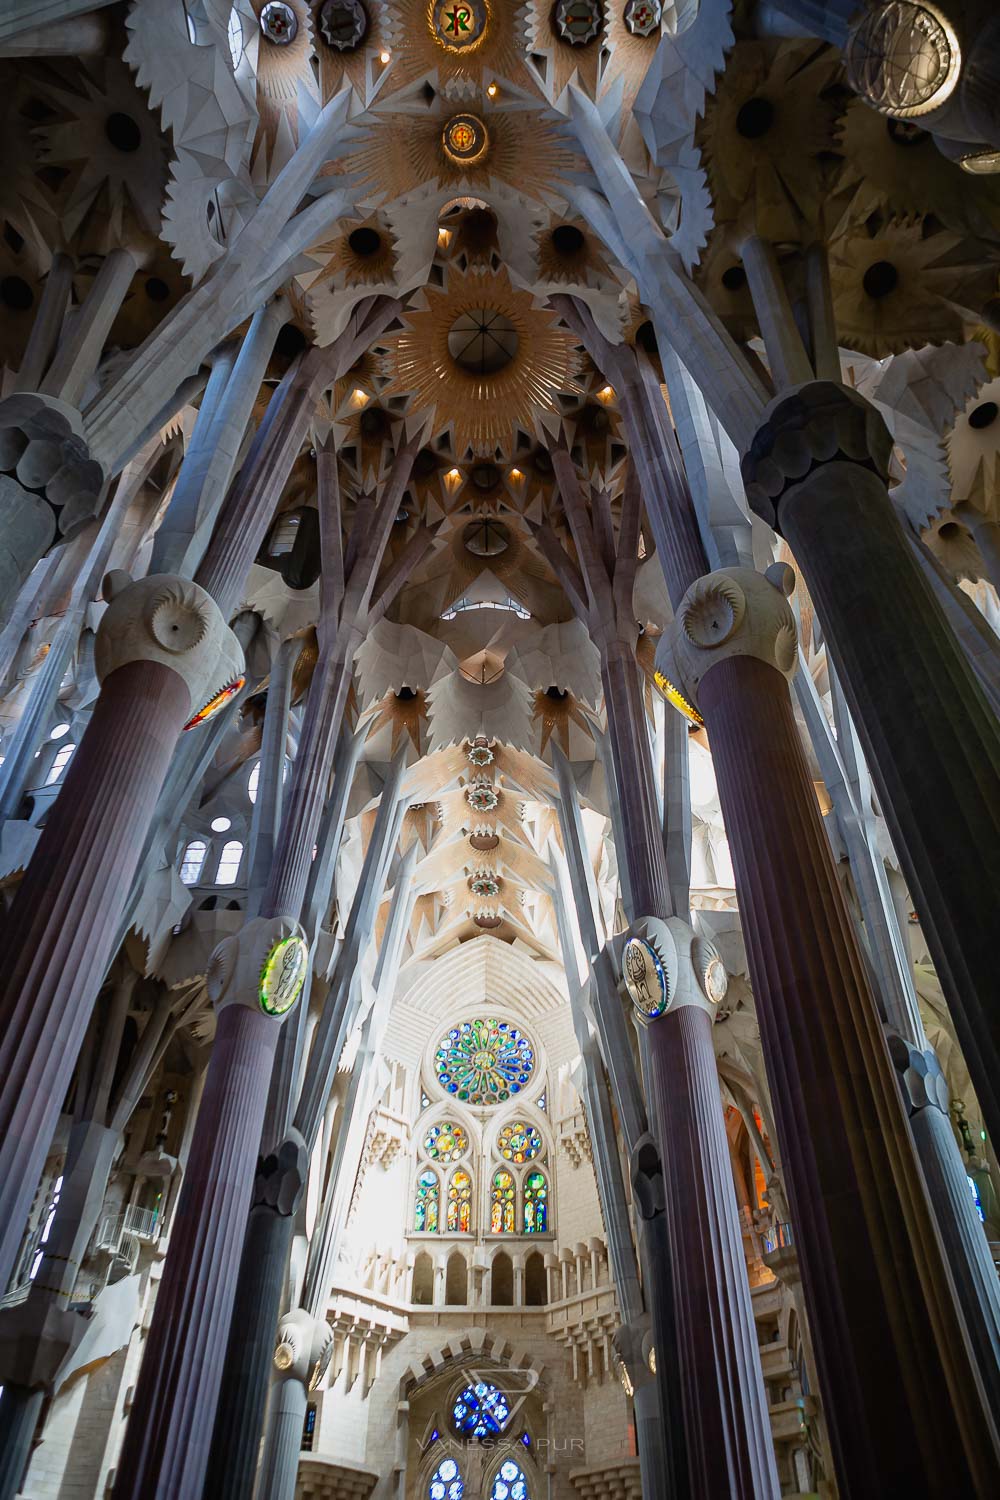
(484, 383)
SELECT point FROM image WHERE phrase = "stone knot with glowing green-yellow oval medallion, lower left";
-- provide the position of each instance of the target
(263, 967)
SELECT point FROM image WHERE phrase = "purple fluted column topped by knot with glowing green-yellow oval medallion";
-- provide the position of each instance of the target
(254, 980)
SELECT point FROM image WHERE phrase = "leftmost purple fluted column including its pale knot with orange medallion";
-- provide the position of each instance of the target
(163, 652)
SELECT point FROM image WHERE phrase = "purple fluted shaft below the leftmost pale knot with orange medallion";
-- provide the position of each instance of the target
(62, 926)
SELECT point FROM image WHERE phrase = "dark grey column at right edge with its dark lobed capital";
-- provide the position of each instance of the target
(818, 473)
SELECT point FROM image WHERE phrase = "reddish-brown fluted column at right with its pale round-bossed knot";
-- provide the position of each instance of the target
(900, 1393)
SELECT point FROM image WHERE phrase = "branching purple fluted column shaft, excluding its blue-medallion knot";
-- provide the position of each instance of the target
(725, 1409)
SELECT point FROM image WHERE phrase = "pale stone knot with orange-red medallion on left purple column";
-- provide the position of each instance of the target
(176, 623)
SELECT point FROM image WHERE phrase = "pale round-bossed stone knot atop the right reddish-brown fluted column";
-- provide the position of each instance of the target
(732, 613)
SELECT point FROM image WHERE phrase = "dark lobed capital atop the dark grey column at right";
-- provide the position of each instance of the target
(821, 422)
